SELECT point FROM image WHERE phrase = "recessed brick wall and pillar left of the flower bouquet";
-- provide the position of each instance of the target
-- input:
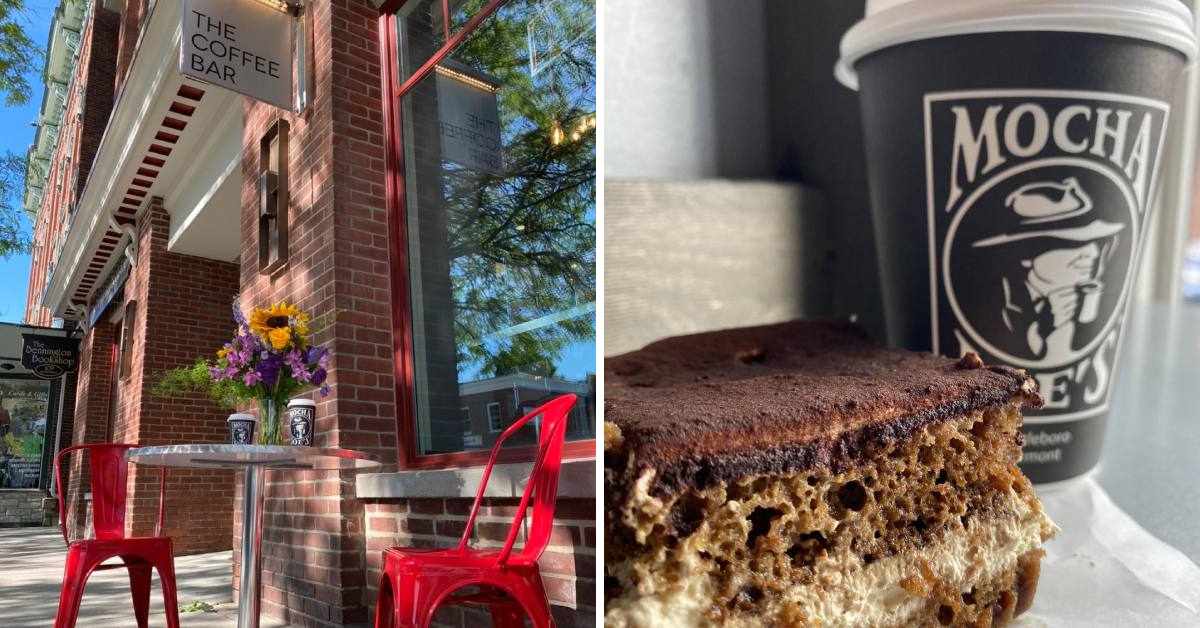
(181, 309)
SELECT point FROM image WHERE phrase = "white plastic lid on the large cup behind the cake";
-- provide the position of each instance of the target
(895, 22)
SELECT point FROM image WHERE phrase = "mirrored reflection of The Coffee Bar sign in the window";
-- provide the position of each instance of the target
(470, 124)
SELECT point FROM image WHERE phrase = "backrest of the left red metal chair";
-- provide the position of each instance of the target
(110, 476)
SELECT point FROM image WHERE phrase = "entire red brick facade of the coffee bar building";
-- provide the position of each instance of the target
(322, 543)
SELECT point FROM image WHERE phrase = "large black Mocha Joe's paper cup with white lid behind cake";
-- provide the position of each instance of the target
(1015, 152)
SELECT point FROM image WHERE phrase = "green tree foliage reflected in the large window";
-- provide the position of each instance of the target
(523, 243)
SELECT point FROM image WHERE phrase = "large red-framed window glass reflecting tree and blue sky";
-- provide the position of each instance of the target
(499, 147)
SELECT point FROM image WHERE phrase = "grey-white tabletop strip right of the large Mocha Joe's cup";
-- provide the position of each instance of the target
(1151, 462)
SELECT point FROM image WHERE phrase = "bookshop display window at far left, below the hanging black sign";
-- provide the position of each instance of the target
(23, 405)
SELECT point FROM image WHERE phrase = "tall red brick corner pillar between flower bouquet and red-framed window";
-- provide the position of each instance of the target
(314, 555)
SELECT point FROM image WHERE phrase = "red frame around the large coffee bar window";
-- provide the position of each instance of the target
(398, 243)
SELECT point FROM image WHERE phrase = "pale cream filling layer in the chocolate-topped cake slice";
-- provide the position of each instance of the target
(849, 593)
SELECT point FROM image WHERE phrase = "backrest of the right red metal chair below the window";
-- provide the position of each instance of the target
(543, 486)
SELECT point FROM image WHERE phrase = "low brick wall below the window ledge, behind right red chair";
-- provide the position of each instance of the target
(568, 567)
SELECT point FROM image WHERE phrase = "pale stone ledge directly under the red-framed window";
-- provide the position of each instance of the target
(578, 481)
